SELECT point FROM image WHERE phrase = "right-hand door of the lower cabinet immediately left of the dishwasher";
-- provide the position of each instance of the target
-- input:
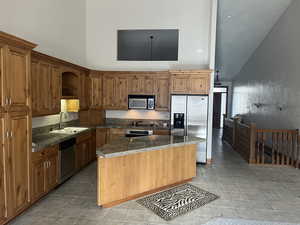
(52, 171)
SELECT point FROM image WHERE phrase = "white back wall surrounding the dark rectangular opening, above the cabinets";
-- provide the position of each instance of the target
(105, 17)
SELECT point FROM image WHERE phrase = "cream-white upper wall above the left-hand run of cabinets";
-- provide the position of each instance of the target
(57, 26)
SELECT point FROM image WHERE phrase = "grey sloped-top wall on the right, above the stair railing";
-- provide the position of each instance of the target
(272, 77)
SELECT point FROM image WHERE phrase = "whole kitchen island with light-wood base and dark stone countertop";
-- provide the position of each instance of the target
(129, 168)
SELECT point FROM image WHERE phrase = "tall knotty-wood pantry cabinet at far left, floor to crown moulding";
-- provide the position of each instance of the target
(15, 125)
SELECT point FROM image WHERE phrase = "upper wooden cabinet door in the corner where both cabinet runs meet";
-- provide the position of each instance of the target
(96, 91)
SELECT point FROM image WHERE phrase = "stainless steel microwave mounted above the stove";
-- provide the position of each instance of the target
(141, 102)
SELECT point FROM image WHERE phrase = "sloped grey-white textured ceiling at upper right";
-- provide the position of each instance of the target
(242, 26)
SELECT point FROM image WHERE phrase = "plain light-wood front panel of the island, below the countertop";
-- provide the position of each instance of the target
(131, 176)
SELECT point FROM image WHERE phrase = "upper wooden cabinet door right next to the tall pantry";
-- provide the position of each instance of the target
(44, 82)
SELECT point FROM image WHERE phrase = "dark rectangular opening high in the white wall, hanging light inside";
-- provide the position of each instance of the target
(148, 45)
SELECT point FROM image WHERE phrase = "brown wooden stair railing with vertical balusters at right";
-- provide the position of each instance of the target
(263, 146)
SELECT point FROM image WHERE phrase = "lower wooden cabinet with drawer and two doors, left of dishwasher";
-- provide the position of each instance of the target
(45, 169)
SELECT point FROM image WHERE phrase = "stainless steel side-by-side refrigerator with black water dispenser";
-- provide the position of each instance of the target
(189, 115)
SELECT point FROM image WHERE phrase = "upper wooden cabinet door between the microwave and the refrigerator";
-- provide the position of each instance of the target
(162, 94)
